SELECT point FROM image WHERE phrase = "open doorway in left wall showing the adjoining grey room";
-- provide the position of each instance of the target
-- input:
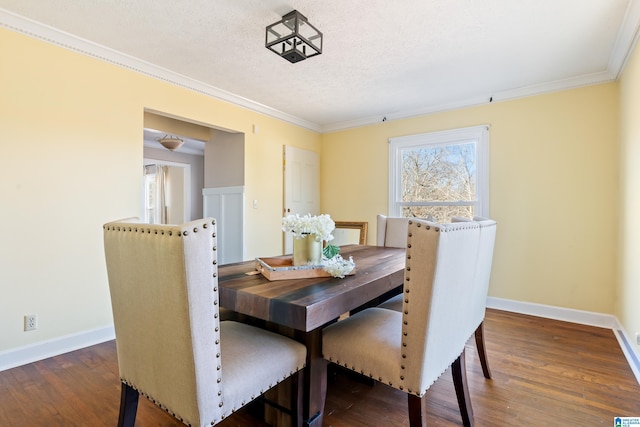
(214, 183)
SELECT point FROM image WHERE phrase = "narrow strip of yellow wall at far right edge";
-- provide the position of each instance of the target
(628, 310)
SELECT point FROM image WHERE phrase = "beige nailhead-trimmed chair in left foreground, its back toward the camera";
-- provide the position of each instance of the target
(171, 345)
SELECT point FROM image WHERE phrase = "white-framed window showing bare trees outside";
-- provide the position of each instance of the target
(442, 174)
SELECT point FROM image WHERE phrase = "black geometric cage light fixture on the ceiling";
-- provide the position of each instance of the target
(293, 38)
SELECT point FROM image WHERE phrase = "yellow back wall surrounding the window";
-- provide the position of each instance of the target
(553, 190)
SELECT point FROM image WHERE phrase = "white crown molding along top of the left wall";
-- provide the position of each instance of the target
(68, 41)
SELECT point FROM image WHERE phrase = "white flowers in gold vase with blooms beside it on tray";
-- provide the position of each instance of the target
(308, 234)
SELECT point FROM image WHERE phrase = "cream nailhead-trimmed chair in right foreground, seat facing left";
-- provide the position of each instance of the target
(409, 350)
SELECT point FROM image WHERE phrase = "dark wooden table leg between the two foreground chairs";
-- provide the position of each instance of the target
(315, 379)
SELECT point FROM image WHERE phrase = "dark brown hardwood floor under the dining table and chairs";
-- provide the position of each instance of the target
(545, 373)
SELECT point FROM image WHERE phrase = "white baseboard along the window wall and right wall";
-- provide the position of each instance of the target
(575, 316)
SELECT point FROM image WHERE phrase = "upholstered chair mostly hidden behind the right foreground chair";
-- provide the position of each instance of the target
(481, 284)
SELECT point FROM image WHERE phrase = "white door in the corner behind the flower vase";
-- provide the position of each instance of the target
(301, 186)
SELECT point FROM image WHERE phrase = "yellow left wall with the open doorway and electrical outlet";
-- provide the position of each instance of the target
(70, 160)
